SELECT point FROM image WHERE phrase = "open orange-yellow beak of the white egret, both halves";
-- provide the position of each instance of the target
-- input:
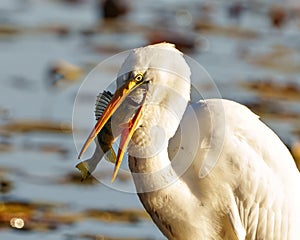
(127, 127)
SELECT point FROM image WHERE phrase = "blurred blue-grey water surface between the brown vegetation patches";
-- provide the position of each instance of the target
(40, 164)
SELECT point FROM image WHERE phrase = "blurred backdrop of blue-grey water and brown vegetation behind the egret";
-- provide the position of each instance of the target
(251, 49)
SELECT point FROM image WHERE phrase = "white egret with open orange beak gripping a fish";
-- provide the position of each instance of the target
(241, 181)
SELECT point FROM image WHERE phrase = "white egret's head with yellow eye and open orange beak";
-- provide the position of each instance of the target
(156, 75)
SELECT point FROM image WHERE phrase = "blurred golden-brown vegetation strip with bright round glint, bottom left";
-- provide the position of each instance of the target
(39, 216)
